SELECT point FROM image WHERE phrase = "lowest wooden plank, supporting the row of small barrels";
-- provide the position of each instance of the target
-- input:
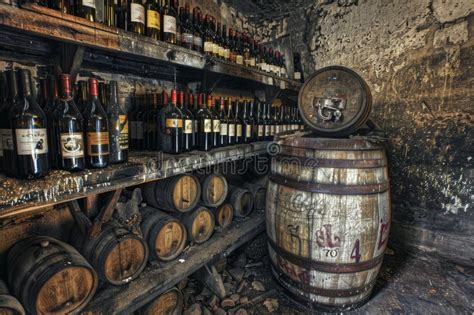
(156, 279)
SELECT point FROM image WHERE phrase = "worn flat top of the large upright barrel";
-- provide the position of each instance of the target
(359, 144)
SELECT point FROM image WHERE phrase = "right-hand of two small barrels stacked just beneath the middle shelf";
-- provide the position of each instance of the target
(214, 190)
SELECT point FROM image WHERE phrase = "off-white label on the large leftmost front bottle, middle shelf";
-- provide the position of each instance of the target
(31, 141)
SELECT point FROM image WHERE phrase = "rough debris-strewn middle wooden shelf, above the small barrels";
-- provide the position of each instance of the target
(20, 196)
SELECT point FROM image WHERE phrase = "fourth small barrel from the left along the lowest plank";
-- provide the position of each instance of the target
(199, 224)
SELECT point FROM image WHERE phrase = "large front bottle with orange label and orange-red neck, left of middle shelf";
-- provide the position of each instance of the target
(97, 129)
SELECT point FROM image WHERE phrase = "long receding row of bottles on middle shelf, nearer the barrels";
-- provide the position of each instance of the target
(196, 121)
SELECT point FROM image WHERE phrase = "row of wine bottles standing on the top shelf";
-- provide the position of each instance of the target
(166, 20)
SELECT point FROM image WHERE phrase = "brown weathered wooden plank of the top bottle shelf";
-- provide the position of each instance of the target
(47, 23)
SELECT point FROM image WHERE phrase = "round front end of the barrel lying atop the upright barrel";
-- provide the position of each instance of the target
(335, 101)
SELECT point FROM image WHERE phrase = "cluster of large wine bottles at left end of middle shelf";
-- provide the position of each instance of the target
(59, 135)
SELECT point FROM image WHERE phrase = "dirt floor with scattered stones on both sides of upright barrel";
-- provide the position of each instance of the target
(409, 284)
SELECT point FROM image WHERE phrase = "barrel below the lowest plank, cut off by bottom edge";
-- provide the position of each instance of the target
(169, 303)
